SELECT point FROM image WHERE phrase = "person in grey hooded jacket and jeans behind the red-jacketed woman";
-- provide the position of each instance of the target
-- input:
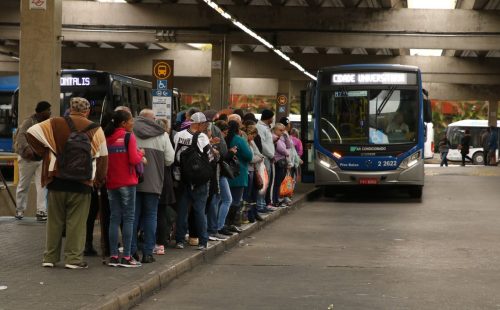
(159, 153)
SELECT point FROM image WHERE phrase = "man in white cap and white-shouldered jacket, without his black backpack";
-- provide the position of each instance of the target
(195, 196)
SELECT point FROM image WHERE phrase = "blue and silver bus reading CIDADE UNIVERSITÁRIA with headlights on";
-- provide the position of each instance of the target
(369, 127)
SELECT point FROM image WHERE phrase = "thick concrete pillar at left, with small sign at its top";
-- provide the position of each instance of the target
(40, 56)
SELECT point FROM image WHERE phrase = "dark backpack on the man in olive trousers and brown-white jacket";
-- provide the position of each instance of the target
(75, 161)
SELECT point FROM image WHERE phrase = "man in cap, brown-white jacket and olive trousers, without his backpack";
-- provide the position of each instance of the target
(68, 200)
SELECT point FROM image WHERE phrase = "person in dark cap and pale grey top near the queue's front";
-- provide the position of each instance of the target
(268, 150)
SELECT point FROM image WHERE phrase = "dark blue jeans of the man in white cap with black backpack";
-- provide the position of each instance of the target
(197, 198)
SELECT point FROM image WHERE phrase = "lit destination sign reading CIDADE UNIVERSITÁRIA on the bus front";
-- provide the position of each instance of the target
(374, 78)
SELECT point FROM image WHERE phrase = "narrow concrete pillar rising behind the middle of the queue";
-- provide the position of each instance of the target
(219, 84)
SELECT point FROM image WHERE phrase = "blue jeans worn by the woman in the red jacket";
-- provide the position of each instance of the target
(122, 209)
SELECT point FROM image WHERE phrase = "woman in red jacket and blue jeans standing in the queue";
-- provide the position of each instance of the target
(121, 182)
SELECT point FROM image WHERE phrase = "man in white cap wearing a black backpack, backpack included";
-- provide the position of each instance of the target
(192, 168)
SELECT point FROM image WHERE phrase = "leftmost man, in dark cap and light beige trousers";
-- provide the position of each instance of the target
(30, 165)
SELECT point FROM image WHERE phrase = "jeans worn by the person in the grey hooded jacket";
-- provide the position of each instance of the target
(146, 212)
